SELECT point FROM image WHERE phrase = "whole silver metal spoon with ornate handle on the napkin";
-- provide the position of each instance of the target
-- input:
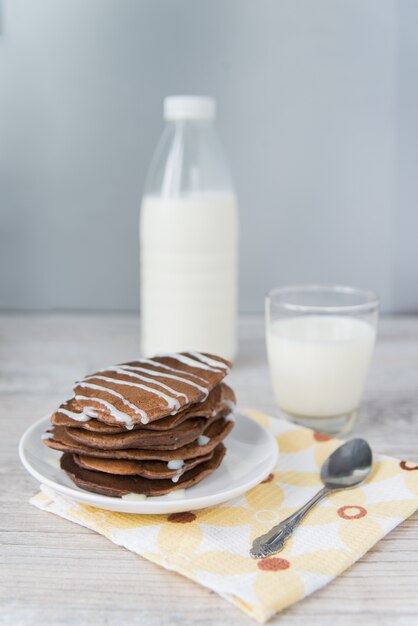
(347, 467)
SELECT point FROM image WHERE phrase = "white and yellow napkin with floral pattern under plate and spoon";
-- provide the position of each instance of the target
(211, 546)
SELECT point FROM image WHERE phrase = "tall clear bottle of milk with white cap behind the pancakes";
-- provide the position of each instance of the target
(188, 237)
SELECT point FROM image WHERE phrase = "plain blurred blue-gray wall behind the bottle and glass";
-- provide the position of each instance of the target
(318, 106)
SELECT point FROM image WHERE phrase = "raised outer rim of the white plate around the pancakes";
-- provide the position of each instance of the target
(160, 507)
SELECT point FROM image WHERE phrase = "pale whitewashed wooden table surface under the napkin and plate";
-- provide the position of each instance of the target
(55, 572)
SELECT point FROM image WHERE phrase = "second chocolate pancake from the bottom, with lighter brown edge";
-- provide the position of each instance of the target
(146, 469)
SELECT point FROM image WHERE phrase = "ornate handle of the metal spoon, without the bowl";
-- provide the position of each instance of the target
(274, 540)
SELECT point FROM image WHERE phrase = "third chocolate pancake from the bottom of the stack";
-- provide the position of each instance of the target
(216, 432)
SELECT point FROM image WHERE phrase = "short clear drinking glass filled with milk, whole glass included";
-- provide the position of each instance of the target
(320, 342)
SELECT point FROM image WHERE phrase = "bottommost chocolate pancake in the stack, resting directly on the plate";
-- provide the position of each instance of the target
(112, 485)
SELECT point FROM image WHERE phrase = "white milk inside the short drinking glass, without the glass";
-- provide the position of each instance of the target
(319, 363)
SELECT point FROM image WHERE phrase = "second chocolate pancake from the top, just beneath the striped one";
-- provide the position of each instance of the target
(220, 401)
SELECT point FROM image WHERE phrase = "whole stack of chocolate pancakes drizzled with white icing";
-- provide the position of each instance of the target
(147, 427)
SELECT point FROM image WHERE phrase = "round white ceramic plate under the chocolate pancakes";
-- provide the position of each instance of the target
(251, 455)
